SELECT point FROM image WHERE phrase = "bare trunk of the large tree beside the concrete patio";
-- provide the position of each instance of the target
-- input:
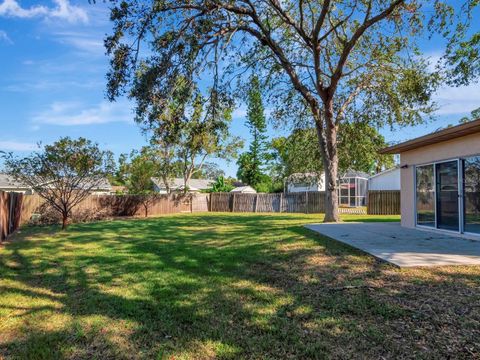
(327, 135)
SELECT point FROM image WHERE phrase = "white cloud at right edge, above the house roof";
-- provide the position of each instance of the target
(459, 100)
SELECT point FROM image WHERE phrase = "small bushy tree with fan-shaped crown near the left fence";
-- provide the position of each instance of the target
(63, 173)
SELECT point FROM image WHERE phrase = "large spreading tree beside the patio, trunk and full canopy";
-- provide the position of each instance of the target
(325, 62)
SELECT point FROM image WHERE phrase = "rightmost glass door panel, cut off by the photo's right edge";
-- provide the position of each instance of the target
(471, 178)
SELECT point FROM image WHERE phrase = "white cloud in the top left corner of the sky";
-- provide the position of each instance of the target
(62, 10)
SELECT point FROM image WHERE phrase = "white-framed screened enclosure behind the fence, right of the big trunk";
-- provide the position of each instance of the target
(352, 188)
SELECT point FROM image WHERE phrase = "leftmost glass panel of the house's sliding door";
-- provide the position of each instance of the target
(425, 193)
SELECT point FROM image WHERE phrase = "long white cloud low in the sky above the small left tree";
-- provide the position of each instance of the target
(73, 113)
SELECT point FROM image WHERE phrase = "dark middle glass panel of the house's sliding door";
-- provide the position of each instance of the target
(447, 195)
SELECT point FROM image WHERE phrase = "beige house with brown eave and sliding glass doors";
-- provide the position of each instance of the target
(440, 179)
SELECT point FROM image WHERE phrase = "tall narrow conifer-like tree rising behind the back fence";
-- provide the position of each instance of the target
(251, 163)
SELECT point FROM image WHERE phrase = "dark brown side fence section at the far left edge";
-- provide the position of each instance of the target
(10, 213)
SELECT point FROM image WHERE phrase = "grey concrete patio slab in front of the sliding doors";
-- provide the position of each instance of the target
(404, 247)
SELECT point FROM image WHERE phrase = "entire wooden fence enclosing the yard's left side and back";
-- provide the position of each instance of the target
(17, 209)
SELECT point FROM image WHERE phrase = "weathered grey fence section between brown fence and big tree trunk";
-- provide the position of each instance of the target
(305, 202)
